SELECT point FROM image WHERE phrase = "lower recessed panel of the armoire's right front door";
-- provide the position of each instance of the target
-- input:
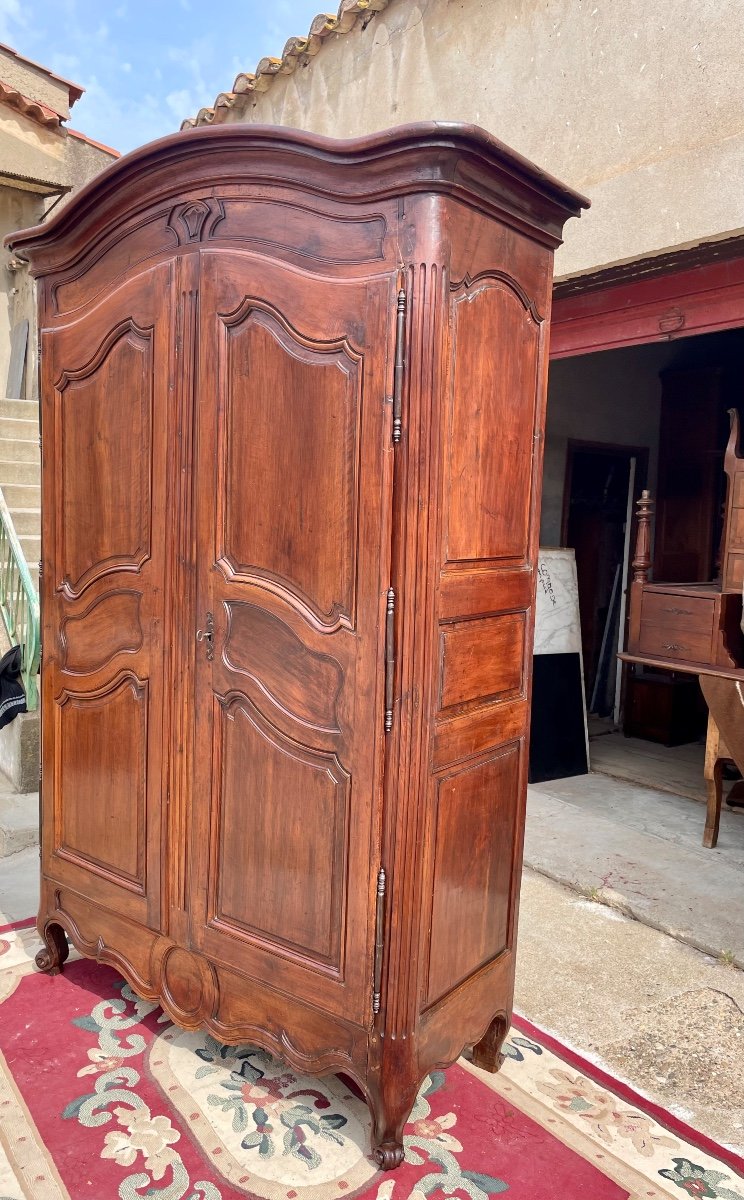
(283, 839)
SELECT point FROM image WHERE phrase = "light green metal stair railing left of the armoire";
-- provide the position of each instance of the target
(20, 605)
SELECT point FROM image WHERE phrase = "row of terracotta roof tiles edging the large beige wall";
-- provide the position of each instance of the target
(297, 51)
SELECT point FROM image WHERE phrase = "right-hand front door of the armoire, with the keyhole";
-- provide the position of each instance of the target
(293, 554)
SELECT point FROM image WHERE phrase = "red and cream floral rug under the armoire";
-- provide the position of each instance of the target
(103, 1097)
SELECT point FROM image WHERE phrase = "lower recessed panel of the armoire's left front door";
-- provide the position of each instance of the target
(103, 812)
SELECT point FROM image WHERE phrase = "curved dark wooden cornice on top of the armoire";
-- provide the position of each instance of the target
(458, 160)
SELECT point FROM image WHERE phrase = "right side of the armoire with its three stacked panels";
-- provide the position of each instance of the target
(484, 621)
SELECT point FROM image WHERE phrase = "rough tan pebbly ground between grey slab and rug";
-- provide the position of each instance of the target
(651, 1010)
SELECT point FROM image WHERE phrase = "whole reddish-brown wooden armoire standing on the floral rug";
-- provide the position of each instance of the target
(293, 399)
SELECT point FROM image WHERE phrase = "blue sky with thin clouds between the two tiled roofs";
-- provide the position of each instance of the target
(146, 67)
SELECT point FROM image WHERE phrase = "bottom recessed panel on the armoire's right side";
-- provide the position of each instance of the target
(473, 835)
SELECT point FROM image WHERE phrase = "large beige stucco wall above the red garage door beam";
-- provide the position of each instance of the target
(640, 105)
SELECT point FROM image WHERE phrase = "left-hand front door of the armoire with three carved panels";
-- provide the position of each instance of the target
(103, 596)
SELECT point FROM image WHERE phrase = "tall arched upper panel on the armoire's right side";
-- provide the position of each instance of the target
(491, 421)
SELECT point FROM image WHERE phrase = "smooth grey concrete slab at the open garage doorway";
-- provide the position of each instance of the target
(641, 851)
